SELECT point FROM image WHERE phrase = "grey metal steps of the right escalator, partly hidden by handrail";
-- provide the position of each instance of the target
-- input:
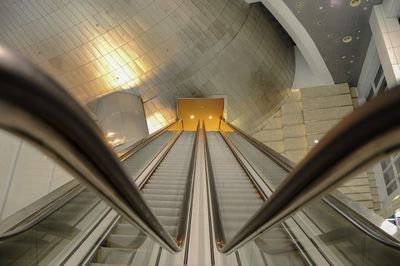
(239, 198)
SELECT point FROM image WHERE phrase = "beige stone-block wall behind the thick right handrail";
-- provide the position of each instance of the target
(304, 118)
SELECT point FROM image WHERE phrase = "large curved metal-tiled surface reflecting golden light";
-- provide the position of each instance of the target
(160, 49)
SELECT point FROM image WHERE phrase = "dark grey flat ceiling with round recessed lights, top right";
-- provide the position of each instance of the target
(328, 22)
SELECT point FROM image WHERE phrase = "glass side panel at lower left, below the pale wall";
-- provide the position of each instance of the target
(63, 229)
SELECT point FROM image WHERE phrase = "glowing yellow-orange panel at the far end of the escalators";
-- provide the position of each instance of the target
(193, 110)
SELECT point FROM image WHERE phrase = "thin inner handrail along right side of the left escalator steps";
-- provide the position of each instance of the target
(187, 198)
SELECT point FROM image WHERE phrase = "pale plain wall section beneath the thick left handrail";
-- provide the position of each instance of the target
(26, 174)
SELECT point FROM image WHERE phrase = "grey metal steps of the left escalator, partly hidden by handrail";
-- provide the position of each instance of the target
(164, 192)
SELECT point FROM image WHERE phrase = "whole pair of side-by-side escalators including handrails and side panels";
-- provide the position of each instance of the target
(136, 209)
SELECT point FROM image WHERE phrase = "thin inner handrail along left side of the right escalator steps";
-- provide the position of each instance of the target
(215, 208)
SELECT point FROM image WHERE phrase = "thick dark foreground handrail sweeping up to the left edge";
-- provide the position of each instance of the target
(35, 107)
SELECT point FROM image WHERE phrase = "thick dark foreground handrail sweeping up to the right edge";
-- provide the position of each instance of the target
(362, 137)
